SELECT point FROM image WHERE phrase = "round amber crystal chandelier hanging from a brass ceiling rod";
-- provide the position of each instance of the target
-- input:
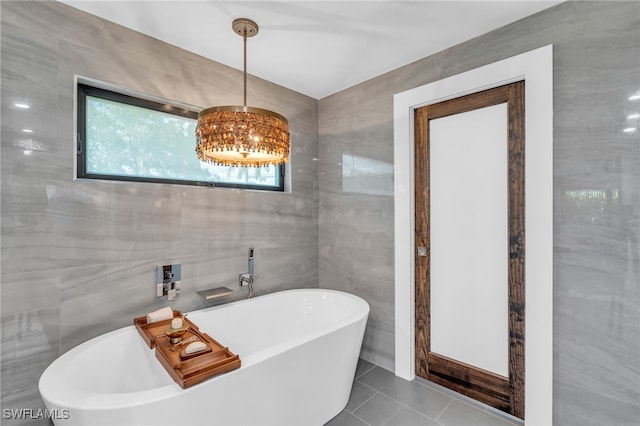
(240, 135)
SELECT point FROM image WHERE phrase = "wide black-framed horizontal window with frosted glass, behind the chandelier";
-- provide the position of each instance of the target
(122, 137)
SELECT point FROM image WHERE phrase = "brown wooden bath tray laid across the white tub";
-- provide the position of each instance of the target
(187, 370)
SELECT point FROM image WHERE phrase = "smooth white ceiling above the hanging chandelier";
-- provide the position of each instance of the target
(315, 47)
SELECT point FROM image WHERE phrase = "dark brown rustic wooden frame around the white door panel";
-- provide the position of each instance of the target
(490, 388)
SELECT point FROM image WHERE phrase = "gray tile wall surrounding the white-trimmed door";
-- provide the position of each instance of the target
(596, 197)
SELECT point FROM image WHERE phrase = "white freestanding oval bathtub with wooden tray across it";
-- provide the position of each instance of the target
(299, 350)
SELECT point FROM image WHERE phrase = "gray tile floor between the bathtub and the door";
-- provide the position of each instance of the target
(380, 398)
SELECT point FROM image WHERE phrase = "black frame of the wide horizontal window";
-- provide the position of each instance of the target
(84, 89)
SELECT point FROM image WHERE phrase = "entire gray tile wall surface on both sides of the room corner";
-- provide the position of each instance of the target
(78, 258)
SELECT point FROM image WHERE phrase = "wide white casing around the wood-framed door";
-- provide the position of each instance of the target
(536, 68)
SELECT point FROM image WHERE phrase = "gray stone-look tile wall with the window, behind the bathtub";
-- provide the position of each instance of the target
(79, 258)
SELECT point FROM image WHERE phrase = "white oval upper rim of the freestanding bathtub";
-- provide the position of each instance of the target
(55, 383)
